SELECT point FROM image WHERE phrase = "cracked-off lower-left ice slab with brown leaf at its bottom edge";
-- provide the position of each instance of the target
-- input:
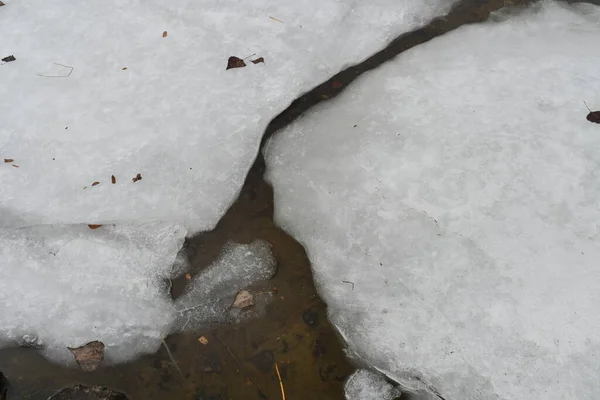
(69, 285)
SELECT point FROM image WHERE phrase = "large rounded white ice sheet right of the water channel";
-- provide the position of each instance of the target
(464, 206)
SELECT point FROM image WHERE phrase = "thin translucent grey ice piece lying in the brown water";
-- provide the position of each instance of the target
(209, 298)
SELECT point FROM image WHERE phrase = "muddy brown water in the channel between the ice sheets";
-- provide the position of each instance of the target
(238, 362)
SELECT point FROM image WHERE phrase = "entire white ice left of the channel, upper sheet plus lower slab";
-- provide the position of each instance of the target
(97, 90)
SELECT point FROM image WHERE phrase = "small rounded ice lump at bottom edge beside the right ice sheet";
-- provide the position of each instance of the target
(368, 385)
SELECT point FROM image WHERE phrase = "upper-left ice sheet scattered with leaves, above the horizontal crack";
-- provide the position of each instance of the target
(96, 91)
